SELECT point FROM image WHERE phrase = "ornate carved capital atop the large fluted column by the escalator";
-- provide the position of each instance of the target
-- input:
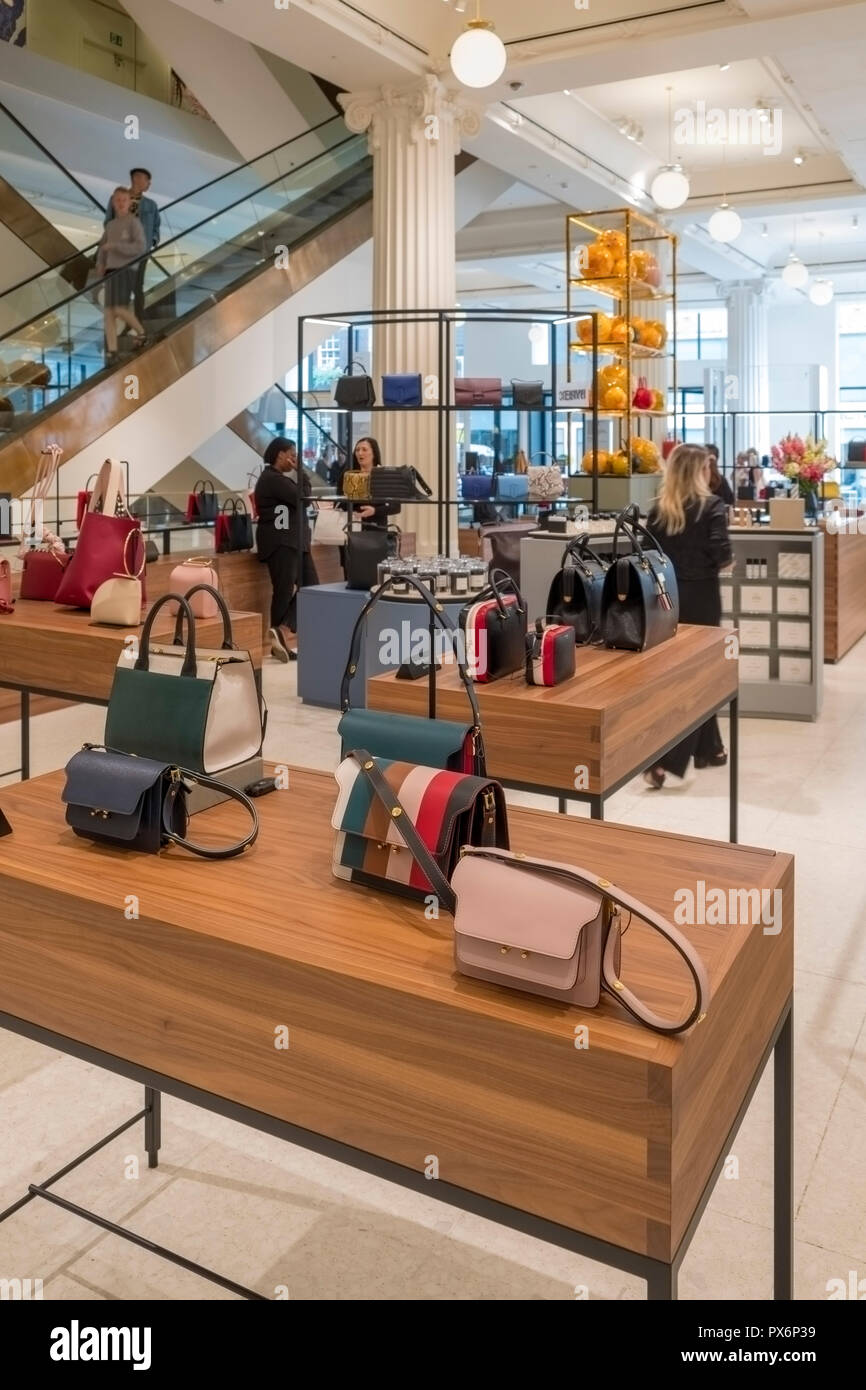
(419, 111)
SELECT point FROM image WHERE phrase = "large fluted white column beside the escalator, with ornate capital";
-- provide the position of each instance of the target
(415, 138)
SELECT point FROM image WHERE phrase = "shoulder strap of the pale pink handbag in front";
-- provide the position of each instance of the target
(654, 919)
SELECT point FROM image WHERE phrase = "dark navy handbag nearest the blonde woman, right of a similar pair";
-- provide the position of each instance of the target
(640, 597)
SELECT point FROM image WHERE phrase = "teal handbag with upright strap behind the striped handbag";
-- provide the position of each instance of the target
(411, 739)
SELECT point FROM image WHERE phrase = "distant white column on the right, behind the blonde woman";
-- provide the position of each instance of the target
(747, 384)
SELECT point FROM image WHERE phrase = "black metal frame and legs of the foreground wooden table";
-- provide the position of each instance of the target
(661, 1275)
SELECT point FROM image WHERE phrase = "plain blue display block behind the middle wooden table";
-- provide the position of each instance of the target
(327, 615)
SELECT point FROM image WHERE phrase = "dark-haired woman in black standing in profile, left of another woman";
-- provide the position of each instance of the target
(277, 541)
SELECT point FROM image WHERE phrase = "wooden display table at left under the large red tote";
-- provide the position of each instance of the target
(59, 653)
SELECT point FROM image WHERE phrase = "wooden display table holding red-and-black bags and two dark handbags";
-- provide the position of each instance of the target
(586, 739)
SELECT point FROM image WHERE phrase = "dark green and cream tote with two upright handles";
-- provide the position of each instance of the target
(197, 708)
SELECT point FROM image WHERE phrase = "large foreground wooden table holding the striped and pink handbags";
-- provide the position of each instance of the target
(611, 1150)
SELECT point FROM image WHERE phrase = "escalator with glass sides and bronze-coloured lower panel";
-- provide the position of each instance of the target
(233, 252)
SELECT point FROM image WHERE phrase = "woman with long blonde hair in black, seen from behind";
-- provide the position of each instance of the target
(690, 523)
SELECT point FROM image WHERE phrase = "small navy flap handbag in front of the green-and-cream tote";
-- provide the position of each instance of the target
(140, 804)
